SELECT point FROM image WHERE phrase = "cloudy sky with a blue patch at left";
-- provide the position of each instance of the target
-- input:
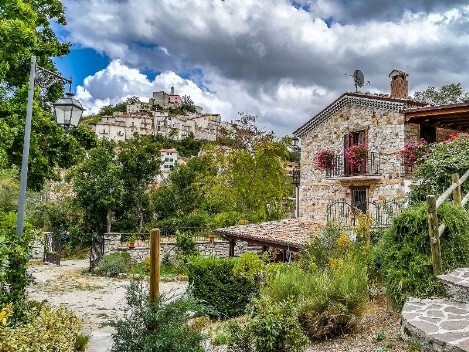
(281, 60)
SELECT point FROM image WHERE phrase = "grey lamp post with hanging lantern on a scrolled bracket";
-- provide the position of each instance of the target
(67, 111)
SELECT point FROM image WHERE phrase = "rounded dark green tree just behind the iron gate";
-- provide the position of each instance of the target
(98, 185)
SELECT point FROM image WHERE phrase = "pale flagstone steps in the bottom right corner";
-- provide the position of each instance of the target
(440, 324)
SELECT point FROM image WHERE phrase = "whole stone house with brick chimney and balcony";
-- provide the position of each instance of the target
(377, 121)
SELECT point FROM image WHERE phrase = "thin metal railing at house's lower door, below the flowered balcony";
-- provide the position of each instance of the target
(346, 214)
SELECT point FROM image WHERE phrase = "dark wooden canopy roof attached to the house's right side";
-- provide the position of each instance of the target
(451, 116)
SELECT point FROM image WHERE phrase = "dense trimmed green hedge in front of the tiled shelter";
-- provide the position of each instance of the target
(214, 282)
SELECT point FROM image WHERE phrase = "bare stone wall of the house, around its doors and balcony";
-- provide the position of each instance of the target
(386, 135)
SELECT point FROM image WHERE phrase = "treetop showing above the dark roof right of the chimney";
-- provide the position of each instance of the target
(448, 94)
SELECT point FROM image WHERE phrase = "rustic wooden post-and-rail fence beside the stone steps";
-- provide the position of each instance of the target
(435, 230)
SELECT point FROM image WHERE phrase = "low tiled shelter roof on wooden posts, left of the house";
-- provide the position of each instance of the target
(284, 235)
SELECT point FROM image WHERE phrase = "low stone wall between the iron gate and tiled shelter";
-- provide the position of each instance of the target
(218, 249)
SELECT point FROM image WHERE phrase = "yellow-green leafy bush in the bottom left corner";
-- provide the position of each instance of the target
(47, 329)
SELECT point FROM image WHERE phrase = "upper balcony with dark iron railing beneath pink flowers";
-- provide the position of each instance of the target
(368, 169)
